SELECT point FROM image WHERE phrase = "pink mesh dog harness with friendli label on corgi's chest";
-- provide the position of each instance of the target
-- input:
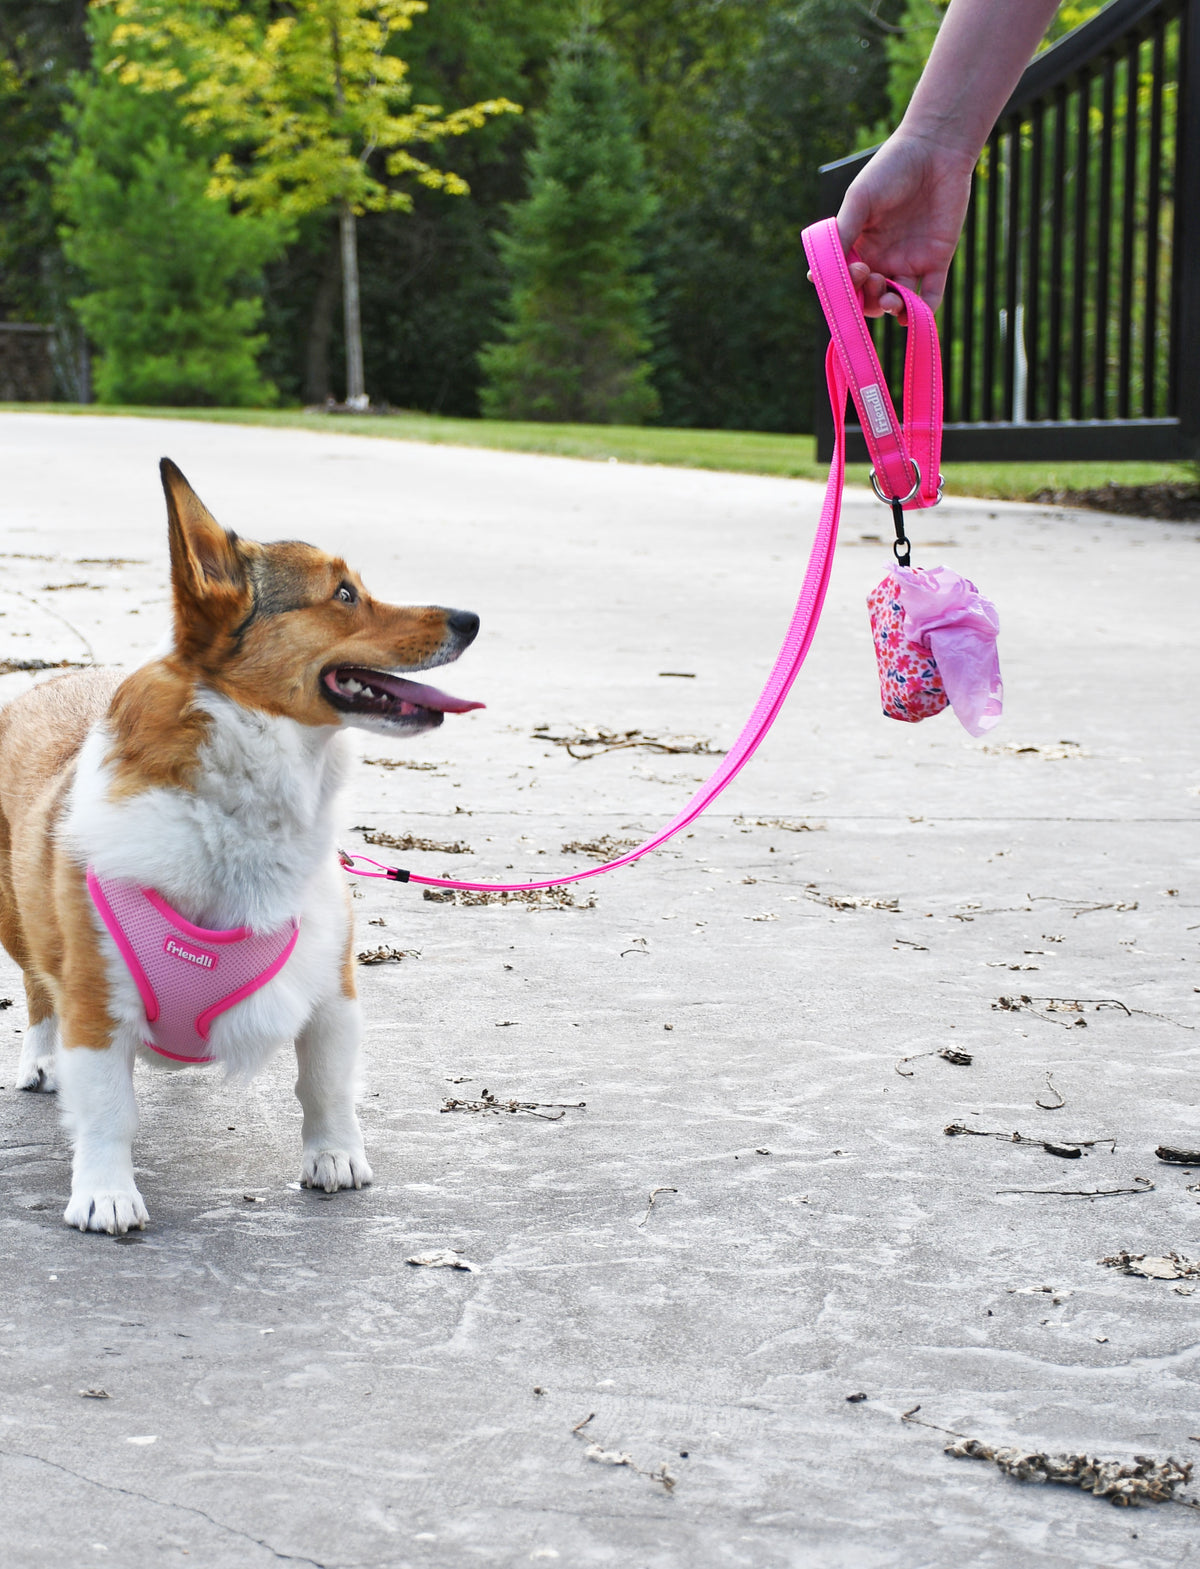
(186, 974)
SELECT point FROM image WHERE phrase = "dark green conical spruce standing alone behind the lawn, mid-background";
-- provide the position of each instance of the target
(578, 324)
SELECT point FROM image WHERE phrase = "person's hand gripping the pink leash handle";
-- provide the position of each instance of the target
(904, 214)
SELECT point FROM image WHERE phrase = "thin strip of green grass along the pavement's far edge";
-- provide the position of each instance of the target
(732, 451)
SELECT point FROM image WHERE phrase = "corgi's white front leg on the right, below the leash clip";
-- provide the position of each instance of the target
(327, 1052)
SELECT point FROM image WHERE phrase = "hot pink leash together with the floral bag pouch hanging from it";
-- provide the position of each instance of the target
(936, 635)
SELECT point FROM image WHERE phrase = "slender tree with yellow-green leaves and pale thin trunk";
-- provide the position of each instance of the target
(313, 104)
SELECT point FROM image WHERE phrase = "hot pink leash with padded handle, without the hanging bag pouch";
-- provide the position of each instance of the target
(906, 476)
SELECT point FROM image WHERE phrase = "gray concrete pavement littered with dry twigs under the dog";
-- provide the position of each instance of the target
(285, 1388)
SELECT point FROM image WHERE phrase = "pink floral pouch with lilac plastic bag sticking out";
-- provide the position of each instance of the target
(936, 641)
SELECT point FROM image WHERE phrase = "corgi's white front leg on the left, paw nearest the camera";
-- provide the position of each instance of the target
(96, 1090)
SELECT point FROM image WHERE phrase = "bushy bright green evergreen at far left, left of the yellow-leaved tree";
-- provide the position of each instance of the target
(172, 275)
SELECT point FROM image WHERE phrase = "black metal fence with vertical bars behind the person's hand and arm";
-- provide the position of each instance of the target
(1072, 318)
